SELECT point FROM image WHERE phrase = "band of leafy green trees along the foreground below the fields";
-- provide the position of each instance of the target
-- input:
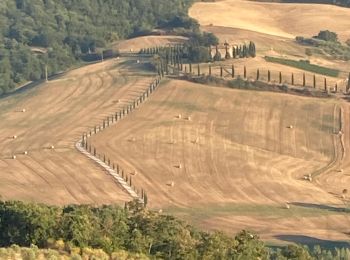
(135, 230)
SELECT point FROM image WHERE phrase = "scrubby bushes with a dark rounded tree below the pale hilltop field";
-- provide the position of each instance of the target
(326, 44)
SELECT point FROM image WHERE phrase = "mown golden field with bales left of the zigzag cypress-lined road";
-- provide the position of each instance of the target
(54, 115)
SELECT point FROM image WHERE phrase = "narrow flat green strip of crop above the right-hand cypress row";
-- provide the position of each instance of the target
(304, 65)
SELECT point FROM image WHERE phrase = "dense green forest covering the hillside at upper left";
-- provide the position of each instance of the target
(66, 30)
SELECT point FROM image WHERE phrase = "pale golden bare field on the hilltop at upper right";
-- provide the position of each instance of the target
(277, 19)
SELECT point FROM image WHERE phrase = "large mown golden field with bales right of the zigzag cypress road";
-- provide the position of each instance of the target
(231, 159)
